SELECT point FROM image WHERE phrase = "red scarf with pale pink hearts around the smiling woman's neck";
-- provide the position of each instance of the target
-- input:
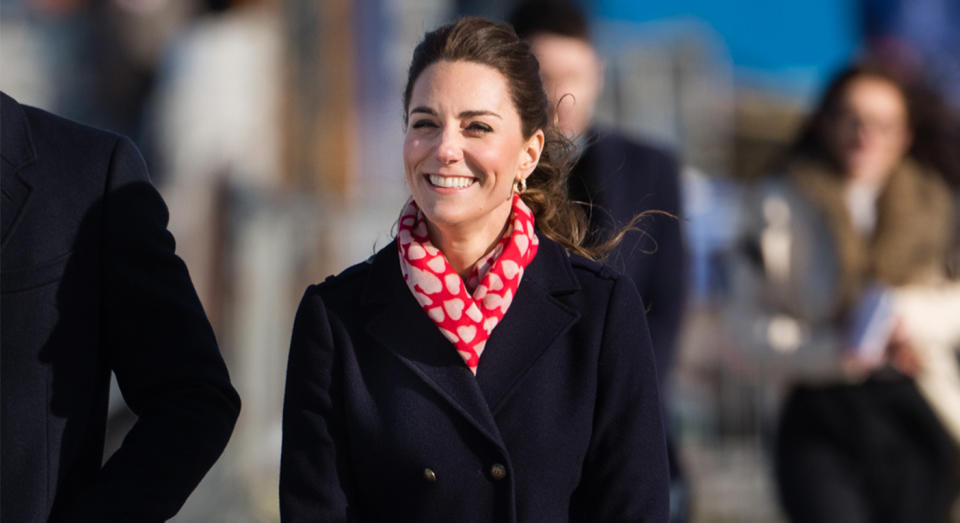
(466, 313)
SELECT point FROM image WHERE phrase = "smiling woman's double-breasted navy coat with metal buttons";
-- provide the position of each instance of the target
(383, 421)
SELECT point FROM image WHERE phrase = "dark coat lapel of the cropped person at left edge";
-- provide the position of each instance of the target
(17, 152)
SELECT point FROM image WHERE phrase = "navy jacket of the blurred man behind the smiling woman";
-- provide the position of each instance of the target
(623, 178)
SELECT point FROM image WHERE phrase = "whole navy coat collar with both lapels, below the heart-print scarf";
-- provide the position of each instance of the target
(534, 320)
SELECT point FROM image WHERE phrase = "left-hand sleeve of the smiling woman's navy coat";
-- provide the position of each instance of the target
(310, 481)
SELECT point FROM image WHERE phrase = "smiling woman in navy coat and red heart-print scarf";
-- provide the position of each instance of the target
(480, 367)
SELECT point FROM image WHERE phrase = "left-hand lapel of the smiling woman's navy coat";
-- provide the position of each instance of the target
(401, 326)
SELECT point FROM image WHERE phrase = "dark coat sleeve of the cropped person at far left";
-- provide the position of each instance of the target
(162, 349)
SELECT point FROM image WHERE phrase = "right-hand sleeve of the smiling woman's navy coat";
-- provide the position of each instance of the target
(625, 475)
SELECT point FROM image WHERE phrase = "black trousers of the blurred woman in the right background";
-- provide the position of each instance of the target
(868, 452)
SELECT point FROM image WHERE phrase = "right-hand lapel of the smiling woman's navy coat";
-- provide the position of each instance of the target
(535, 319)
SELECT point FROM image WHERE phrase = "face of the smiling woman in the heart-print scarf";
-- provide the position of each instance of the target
(464, 146)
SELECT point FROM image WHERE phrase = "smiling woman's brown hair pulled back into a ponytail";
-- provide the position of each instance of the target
(496, 45)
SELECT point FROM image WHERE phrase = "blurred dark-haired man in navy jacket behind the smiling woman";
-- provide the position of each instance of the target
(618, 176)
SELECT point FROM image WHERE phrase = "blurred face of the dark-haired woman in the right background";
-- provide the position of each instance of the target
(869, 133)
